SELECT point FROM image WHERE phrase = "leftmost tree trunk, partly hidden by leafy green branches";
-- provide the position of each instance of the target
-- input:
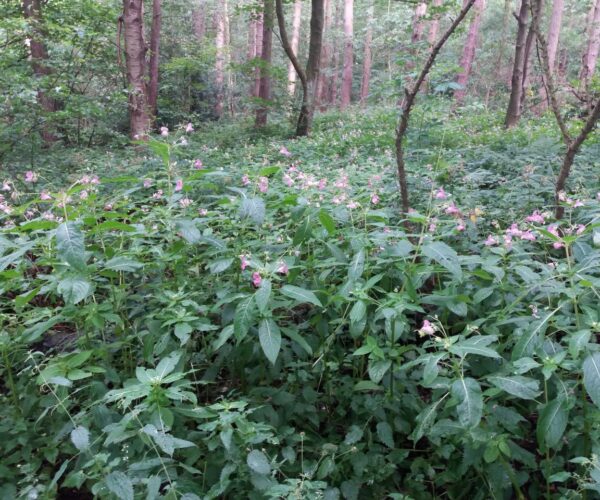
(32, 11)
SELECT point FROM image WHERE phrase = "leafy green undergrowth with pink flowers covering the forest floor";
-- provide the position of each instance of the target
(206, 317)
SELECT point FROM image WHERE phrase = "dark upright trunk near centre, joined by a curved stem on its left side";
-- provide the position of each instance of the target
(312, 67)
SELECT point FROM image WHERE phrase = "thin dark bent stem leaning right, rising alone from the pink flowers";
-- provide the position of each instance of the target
(410, 95)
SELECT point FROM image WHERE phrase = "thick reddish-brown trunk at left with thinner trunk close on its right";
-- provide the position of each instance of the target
(135, 56)
